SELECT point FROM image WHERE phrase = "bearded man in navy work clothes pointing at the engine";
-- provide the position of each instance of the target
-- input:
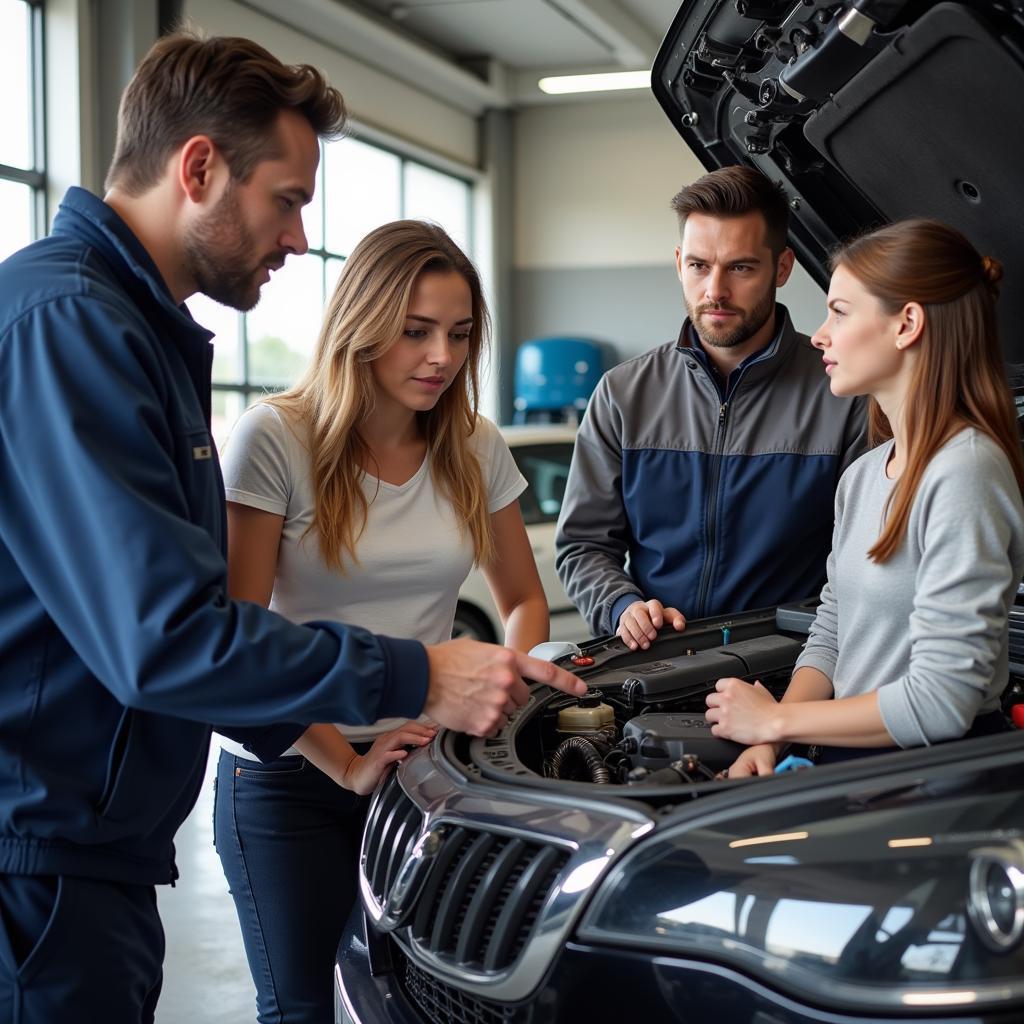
(118, 643)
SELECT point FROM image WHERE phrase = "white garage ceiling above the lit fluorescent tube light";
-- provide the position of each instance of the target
(482, 54)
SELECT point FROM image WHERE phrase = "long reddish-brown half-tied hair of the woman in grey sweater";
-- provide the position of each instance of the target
(960, 379)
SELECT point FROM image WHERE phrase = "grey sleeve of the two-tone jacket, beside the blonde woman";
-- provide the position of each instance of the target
(592, 538)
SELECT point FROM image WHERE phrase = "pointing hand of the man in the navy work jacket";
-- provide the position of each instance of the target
(476, 687)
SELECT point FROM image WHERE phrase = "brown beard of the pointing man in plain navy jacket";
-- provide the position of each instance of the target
(219, 254)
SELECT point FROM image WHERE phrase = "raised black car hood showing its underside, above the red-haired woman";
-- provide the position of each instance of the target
(869, 112)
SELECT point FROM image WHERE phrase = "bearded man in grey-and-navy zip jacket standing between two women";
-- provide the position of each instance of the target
(705, 471)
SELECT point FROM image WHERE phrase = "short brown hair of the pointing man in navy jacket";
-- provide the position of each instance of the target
(227, 88)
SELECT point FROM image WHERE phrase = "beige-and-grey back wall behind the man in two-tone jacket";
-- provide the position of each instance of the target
(594, 234)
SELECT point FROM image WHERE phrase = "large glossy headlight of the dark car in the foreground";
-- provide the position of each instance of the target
(862, 905)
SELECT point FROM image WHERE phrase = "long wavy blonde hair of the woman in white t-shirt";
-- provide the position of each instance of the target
(365, 318)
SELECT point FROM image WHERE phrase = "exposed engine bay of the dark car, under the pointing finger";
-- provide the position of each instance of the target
(643, 720)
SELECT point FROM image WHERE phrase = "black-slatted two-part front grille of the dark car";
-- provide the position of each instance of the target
(482, 895)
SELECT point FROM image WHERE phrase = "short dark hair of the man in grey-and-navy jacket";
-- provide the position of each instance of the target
(733, 192)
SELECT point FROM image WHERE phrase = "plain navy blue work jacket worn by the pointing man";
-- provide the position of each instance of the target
(118, 641)
